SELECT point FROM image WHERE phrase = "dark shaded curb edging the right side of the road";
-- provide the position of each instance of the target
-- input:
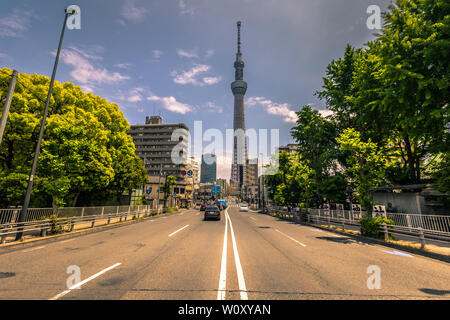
(428, 254)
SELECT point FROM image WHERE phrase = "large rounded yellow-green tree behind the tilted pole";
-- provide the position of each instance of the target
(86, 154)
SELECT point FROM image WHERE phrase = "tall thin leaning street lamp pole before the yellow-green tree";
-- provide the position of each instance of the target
(26, 202)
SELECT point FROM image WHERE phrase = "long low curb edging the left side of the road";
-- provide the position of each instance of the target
(15, 246)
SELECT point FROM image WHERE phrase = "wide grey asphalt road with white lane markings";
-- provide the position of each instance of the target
(253, 256)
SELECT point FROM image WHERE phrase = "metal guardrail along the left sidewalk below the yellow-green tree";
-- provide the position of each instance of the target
(68, 223)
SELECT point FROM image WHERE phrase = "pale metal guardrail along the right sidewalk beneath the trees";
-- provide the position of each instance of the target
(423, 227)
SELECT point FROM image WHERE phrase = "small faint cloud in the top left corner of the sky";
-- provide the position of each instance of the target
(16, 23)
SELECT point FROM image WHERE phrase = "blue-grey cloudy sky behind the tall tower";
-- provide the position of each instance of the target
(175, 57)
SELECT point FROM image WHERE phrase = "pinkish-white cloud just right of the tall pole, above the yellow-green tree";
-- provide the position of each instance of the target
(85, 72)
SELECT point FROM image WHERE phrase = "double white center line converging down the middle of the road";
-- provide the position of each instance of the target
(223, 270)
